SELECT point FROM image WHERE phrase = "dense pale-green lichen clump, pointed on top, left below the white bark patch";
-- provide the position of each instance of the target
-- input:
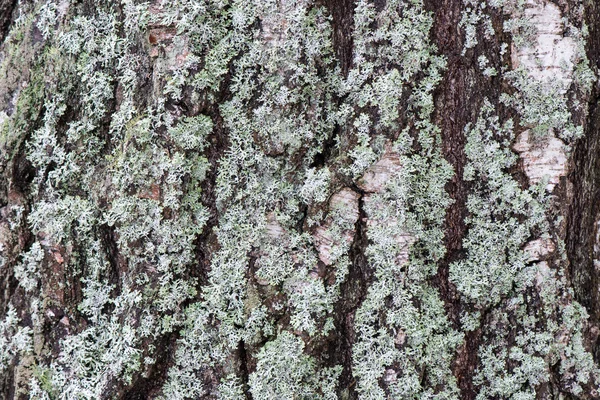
(496, 233)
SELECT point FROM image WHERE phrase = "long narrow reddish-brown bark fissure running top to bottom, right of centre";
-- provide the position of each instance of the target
(453, 109)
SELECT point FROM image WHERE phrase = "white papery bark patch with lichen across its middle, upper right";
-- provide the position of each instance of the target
(547, 61)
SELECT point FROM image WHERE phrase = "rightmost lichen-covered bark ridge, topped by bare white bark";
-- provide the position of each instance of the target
(504, 272)
